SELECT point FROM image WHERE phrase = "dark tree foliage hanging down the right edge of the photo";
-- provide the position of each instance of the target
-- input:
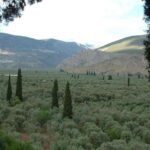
(147, 41)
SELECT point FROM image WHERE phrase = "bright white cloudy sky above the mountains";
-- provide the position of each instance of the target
(95, 22)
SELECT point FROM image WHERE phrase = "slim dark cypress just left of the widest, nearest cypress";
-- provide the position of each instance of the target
(55, 94)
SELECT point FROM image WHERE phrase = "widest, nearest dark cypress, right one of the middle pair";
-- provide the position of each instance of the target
(67, 111)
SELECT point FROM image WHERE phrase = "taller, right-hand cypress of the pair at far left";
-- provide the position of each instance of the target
(19, 85)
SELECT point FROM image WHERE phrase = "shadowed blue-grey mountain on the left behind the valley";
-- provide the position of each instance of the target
(28, 53)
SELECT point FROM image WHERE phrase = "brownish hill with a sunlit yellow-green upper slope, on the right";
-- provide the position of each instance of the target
(123, 56)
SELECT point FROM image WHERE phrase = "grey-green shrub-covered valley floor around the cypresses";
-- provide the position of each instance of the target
(107, 114)
